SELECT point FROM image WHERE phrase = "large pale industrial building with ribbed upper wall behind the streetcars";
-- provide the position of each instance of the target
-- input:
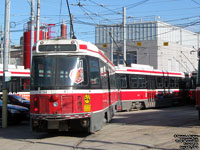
(155, 43)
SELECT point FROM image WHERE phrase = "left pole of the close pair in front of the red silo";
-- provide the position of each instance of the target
(32, 29)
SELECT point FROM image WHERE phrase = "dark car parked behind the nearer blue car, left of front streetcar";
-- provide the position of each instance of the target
(17, 100)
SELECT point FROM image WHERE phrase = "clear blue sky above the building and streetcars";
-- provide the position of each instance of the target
(88, 13)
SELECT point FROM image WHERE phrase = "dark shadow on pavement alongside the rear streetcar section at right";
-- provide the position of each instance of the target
(172, 117)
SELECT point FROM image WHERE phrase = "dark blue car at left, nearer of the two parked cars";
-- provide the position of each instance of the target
(16, 113)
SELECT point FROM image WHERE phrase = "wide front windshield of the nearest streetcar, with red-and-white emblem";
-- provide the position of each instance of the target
(58, 72)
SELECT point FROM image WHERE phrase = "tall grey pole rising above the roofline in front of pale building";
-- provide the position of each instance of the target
(124, 32)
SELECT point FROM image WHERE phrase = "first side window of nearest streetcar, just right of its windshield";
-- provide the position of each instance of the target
(94, 72)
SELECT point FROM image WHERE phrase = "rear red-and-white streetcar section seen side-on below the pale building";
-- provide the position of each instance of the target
(142, 87)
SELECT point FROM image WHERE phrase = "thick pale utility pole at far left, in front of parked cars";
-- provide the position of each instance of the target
(5, 61)
